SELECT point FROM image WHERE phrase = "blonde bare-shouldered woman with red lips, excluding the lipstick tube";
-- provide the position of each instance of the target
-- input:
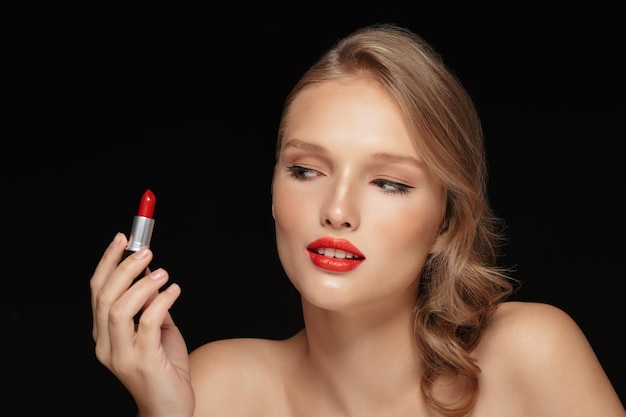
(383, 226)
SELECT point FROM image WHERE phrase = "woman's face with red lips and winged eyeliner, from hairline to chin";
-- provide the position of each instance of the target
(356, 210)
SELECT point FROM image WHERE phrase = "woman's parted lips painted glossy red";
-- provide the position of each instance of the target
(336, 255)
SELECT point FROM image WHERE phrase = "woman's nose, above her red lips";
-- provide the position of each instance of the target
(340, 210)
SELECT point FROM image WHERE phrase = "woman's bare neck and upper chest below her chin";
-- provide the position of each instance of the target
(363, 355)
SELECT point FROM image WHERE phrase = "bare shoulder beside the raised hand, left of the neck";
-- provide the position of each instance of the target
(241, 376)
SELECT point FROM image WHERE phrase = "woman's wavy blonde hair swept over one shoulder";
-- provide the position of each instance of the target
(461, 286)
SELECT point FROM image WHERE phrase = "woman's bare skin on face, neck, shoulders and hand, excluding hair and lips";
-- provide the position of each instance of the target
(355, 356)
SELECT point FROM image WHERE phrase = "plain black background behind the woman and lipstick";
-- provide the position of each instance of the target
(103, 101)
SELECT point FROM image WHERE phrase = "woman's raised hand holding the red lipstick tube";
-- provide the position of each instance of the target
(150, 358)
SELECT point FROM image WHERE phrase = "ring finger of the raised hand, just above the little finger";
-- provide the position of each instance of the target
(121, 317)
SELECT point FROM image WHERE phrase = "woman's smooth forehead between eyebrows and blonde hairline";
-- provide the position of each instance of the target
(356, 111)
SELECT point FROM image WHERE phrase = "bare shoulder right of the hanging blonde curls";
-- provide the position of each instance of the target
(545, 358)
